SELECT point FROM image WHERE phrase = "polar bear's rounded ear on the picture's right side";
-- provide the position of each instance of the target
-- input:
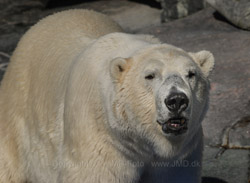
(205, 61)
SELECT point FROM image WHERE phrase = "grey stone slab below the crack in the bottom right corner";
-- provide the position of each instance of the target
(231, 166)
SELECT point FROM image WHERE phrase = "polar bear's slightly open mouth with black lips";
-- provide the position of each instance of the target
(175, 126)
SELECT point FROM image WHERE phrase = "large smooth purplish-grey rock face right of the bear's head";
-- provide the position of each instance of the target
(230, 86)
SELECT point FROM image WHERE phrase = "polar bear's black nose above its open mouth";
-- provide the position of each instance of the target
(176, 102)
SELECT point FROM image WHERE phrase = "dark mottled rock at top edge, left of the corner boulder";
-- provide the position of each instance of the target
(174, 9)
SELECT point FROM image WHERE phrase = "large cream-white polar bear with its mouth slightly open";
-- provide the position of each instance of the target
(82, 101)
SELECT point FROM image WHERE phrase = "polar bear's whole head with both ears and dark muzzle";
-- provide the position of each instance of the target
(161, 95)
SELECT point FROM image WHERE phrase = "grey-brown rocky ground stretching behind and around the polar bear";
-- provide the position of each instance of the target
(227, 125)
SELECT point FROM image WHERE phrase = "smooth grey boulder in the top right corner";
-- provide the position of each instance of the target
(237, 12)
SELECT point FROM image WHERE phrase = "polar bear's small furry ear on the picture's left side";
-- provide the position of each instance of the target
(117, 67)
